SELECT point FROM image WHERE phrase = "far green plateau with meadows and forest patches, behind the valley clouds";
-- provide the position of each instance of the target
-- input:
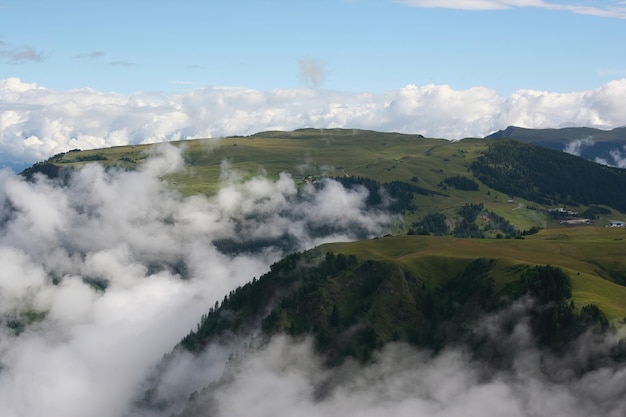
(445, 175)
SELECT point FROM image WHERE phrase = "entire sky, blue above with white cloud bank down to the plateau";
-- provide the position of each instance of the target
(341, 50)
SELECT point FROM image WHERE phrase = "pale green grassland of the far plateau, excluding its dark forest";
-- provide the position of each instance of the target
(337, 152)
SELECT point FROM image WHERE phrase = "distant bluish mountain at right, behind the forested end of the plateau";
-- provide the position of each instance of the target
(604, 146)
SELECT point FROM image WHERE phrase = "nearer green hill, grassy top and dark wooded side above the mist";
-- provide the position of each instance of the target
(356, 297)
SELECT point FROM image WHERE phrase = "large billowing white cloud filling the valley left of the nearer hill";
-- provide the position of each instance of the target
(102, 275)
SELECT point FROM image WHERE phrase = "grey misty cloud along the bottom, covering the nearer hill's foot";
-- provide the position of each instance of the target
(286, 377)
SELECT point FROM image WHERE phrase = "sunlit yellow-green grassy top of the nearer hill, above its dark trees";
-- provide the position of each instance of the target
(584, 253)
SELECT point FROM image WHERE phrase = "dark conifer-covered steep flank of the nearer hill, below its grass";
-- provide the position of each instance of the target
(353, 307)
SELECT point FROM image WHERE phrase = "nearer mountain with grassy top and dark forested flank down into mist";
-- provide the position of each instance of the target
(414, 290)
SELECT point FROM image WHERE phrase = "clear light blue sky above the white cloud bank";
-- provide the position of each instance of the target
(367, 45)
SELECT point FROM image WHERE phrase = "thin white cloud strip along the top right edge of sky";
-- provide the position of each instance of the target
(612, 9)
